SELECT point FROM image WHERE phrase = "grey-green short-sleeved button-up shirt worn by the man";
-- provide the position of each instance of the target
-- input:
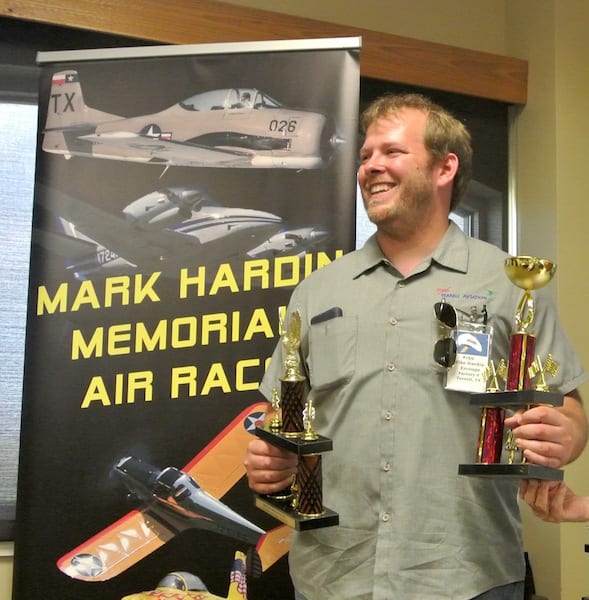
(410, 526)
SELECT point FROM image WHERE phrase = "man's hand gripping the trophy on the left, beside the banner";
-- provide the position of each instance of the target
(269, 469)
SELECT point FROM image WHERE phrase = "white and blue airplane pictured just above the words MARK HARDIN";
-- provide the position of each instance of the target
(161, 231)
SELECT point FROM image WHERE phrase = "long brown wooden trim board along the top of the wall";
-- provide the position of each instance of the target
(384, 56)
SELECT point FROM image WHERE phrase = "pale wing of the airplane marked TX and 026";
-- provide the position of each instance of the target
(158, 150)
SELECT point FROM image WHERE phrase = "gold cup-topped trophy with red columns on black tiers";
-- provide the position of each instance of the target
(529, 274)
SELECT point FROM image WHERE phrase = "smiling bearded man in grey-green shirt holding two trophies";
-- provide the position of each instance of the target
(410, 527)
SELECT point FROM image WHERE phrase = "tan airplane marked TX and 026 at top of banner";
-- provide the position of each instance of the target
(218, 128)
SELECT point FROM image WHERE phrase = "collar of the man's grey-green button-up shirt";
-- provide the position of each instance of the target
(451, 253)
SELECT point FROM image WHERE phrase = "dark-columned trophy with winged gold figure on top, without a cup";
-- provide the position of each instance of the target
(291, 428)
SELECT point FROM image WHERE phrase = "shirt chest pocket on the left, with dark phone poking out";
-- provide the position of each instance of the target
(332, 352)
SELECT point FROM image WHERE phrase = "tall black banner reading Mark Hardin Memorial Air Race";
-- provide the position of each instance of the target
(181, 193)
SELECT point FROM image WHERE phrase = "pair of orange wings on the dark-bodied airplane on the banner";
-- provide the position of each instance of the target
(141, 532)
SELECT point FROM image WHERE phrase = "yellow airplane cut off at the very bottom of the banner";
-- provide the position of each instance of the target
(181, 585)
